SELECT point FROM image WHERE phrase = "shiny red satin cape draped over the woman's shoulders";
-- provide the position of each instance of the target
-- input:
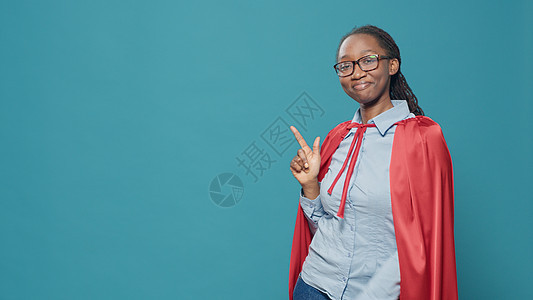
(421, 181)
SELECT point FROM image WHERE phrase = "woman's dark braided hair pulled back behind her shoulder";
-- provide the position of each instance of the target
(399, 89)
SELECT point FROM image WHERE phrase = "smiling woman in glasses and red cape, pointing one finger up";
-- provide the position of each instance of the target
(377, 197)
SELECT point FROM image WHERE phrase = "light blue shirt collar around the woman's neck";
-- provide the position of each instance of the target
(386, 119)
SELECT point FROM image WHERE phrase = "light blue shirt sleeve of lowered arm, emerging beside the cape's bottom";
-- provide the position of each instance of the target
(385, 284)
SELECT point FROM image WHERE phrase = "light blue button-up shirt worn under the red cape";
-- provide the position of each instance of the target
(356, 257)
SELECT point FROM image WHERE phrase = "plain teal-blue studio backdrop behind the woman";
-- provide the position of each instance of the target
(115, 116)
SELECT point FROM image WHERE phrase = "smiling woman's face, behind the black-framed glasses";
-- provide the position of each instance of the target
(369, 87)
